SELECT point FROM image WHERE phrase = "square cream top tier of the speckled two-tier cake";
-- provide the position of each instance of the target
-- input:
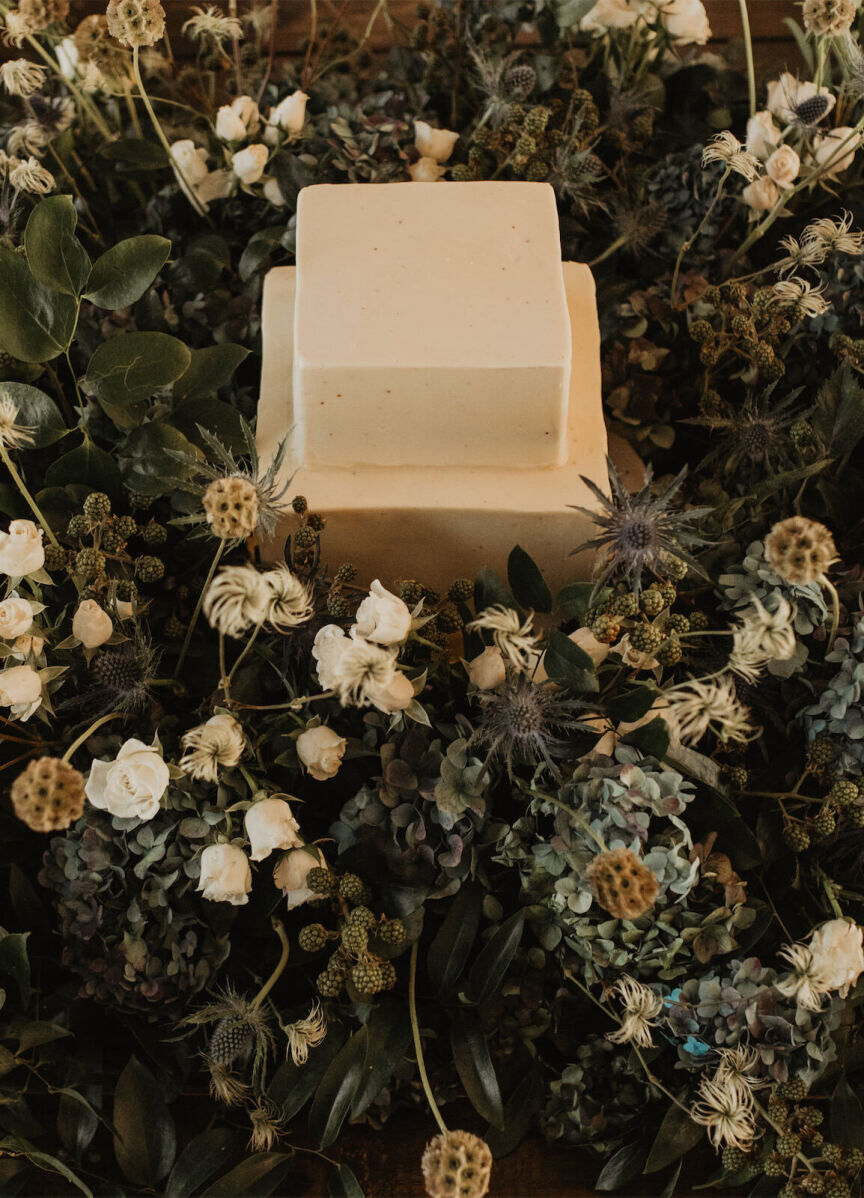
(432, 326)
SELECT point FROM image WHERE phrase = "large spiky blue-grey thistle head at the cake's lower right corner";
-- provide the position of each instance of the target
(639, 533)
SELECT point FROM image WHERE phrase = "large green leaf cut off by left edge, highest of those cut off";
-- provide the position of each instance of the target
(37, 324)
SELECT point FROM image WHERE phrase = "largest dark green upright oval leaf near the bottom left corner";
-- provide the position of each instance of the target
(146, 1140)
